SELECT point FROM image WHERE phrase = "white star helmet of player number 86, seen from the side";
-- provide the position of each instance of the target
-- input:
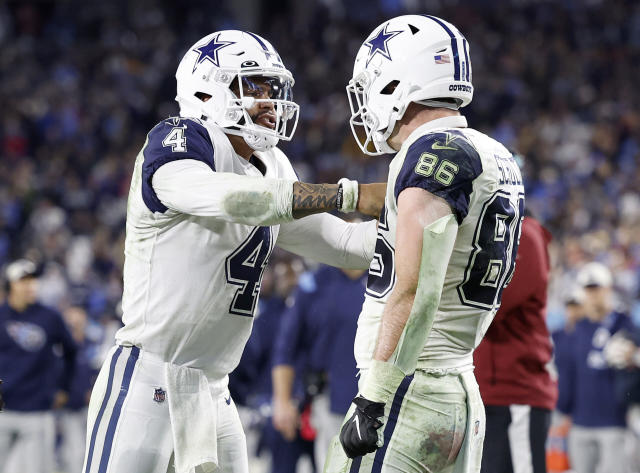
(410, 58)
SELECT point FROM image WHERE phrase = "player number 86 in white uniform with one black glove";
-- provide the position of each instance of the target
(446, 247)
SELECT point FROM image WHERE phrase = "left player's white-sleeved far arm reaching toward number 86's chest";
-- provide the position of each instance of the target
(330, 240)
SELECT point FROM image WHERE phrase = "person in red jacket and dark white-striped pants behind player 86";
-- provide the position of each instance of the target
(512, 364)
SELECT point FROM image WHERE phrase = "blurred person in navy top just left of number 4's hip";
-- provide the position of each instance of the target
(72, 420)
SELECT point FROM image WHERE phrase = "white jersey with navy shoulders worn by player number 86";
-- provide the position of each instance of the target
(478, 177)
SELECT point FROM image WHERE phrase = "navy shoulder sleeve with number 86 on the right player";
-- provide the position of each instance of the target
(444, 164)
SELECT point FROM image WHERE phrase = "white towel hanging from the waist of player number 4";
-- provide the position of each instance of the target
(193, 419)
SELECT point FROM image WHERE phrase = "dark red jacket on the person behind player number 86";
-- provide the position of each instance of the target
(512, 357)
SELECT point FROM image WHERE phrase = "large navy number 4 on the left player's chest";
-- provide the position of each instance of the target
(244, 268)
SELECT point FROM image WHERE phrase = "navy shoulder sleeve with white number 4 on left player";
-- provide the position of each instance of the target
(172, 140)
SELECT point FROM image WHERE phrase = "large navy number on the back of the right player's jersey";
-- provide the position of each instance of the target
(493, 259)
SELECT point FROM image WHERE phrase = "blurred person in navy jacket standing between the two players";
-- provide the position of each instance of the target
(315, 345)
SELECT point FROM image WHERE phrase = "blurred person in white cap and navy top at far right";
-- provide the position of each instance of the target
(597, 435)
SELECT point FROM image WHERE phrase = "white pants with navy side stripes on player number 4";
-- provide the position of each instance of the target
(128, 427)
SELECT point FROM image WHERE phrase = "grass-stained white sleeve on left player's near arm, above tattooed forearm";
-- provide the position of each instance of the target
(190, 187)
